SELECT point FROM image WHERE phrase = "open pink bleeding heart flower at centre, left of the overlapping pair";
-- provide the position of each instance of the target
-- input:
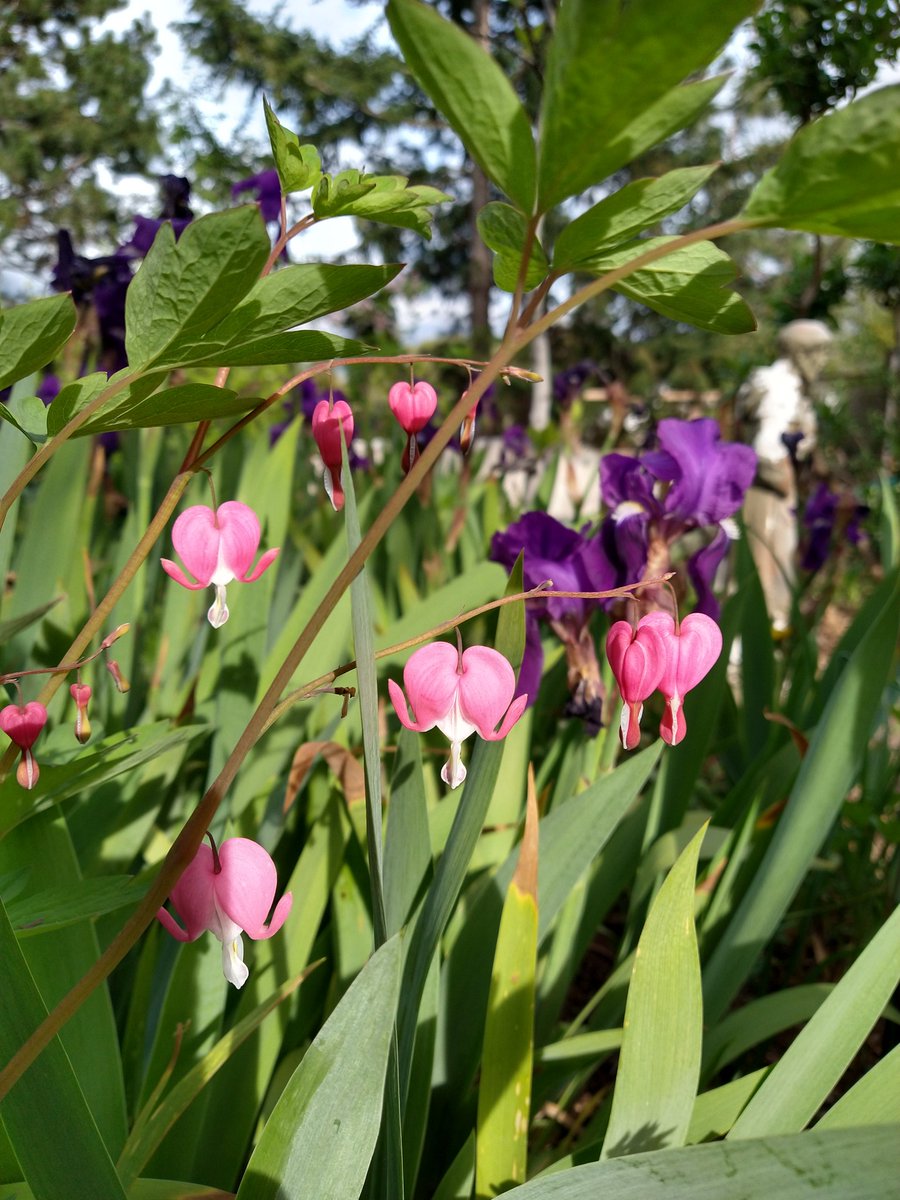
(460, 694)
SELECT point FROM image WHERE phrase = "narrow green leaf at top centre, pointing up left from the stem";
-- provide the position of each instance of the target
(475, 95)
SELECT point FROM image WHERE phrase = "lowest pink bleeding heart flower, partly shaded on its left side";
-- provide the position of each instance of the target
(230, 892)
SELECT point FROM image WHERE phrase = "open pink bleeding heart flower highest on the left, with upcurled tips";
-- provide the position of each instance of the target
(218, 548)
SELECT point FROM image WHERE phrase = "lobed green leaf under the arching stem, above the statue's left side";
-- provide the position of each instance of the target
(691, 285)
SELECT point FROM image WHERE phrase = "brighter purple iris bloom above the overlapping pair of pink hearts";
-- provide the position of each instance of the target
(693, 481)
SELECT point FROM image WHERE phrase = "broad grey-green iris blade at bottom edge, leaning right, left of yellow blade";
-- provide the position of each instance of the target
(322, 1133)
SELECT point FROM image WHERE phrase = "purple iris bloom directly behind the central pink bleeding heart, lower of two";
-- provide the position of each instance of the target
(575, 563)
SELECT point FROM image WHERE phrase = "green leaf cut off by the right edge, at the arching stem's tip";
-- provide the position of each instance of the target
(838, 175)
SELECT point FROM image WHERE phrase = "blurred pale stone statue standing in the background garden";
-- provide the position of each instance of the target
(776, 415)
